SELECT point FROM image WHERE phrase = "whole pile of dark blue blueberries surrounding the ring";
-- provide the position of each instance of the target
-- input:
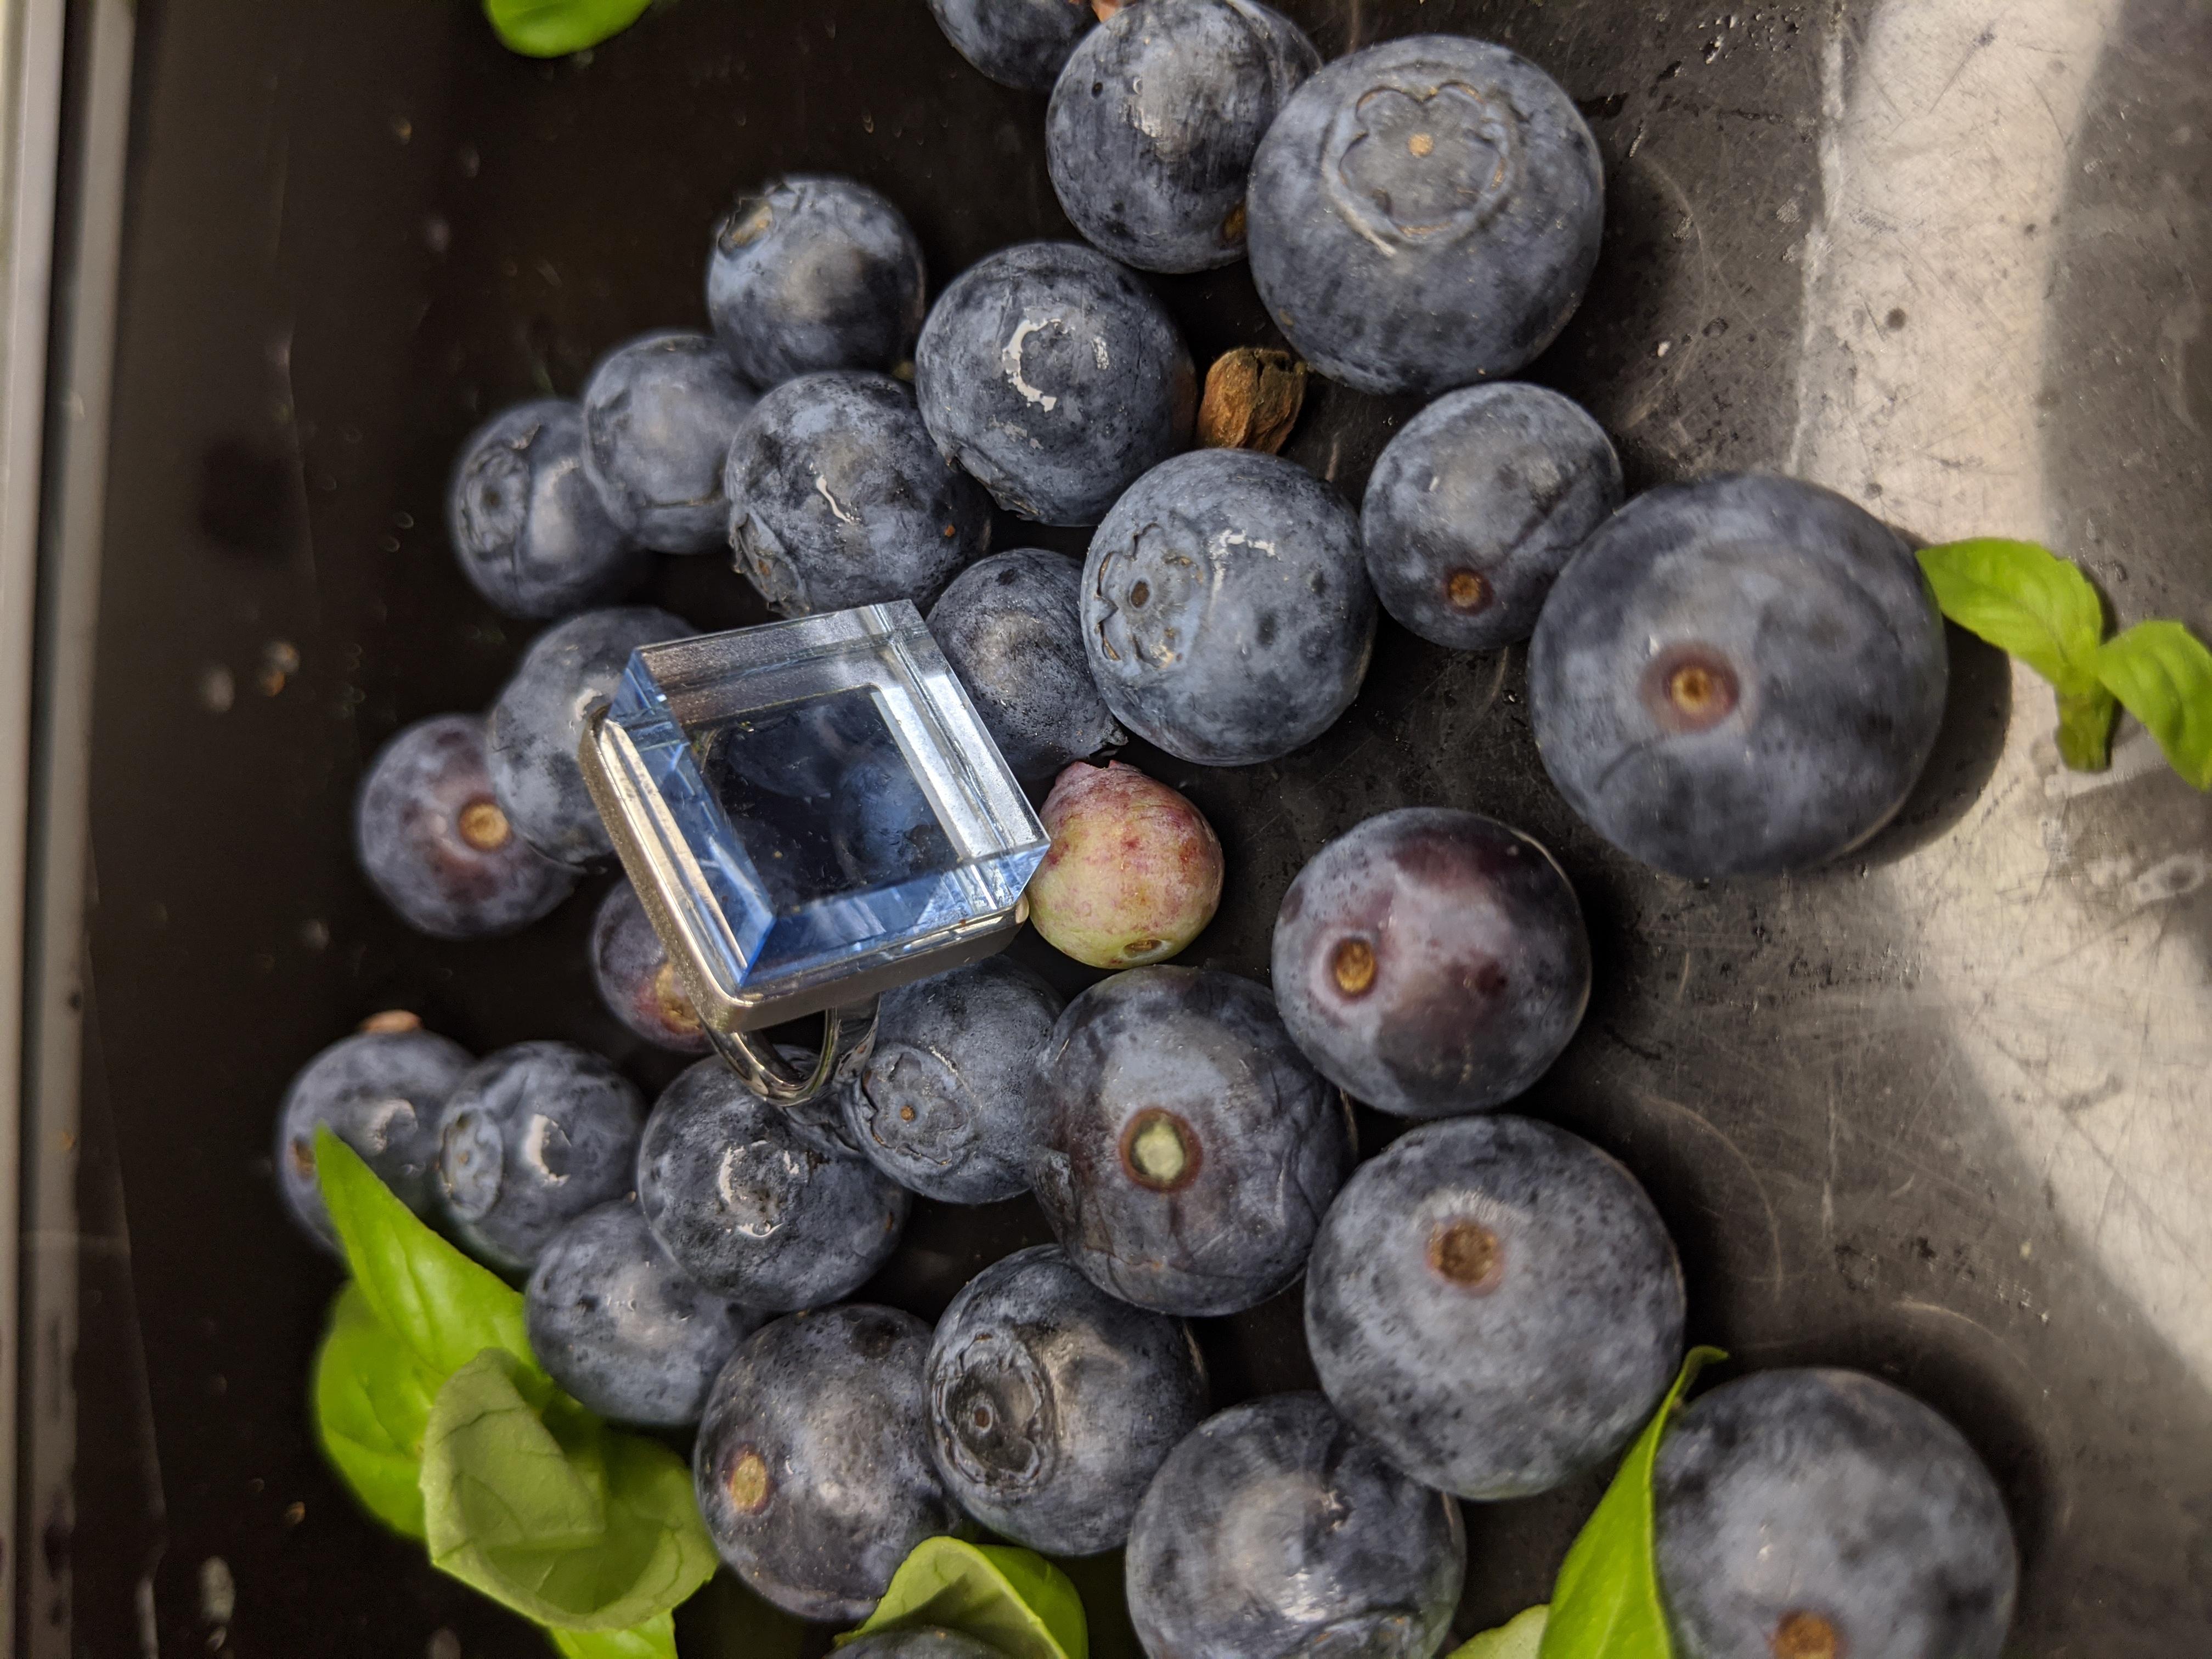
(1731, 676)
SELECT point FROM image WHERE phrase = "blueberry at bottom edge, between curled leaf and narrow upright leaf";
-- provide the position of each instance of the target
(1280, 1532)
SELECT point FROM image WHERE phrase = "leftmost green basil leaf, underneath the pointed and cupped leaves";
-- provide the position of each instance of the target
(371, 1406)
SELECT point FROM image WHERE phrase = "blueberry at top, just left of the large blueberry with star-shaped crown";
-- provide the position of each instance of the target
(1156, 118)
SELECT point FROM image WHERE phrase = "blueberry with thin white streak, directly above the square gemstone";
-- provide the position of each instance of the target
(839, 499)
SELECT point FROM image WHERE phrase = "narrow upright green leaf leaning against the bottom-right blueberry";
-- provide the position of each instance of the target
(1607, 1598)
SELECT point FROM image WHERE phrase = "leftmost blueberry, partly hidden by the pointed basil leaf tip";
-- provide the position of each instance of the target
(382, 1094)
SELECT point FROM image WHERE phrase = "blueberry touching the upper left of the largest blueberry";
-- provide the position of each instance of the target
(1477, 508)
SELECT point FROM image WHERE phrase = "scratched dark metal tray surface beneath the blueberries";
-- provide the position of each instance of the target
(1937, 1112)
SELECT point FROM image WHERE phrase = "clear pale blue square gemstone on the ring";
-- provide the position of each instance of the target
(828, 791)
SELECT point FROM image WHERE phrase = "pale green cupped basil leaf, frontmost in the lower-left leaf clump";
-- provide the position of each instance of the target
(552, 1514)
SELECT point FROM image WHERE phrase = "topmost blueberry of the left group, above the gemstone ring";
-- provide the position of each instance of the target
(815, 273)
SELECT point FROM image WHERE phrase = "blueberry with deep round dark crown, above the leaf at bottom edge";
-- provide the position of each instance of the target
(1054, 1404)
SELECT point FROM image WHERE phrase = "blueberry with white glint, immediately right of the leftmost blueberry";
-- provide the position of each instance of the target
(530, 1140)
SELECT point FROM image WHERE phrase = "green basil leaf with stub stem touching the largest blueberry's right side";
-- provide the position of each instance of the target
(2027, 601)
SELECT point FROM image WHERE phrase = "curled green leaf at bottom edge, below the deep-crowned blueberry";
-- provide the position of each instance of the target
(1010, 1598)
